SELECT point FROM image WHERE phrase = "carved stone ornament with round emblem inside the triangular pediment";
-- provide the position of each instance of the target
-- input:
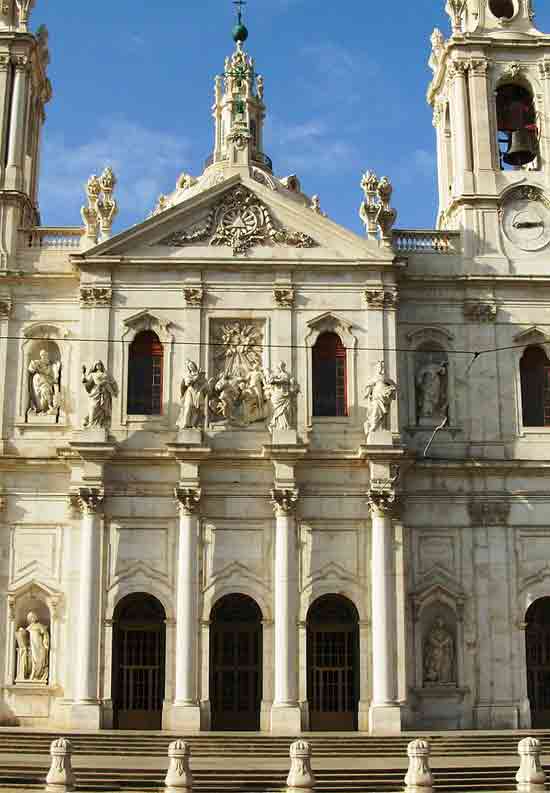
(239, 221)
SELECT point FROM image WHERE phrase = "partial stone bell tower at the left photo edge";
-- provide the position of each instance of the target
(24, 92)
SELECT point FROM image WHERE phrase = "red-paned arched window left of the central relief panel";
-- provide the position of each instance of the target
(145, 375)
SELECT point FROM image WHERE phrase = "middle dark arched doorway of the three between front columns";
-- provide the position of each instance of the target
(236, 664)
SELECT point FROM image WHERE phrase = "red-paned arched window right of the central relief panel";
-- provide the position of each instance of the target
(329, 376)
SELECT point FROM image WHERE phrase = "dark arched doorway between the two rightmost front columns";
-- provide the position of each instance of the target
(333, 663)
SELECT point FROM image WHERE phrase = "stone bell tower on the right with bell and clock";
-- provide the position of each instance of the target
(490, 95)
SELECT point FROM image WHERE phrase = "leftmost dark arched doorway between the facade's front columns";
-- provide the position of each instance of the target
(139, 662)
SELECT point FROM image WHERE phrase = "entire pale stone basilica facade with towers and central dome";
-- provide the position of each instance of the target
(259, 472)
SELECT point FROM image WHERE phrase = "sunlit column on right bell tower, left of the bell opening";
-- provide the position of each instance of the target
(461, 126)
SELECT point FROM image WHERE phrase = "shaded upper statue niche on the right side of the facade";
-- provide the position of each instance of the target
(431, 385)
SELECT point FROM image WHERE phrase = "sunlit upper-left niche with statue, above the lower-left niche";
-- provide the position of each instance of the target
(43, 372)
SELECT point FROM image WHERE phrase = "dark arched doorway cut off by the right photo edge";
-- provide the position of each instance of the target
(537, 643)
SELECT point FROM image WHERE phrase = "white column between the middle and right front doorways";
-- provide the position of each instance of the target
(285, 713)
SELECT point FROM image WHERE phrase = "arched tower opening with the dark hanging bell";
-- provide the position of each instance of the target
(517, 126)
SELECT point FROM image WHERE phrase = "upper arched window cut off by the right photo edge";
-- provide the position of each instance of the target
(535, 387)
